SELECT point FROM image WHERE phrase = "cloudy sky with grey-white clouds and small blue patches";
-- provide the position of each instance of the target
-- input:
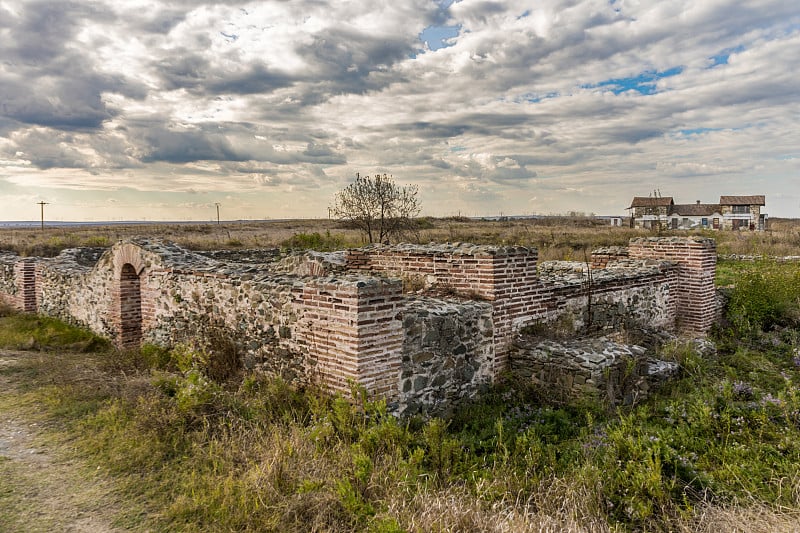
(157, 109)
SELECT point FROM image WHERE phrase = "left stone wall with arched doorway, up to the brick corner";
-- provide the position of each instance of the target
(334, 331)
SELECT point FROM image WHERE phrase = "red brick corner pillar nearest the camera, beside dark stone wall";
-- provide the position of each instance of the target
(352, 333)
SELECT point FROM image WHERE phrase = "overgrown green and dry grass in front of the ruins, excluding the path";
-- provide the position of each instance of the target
(195, 451)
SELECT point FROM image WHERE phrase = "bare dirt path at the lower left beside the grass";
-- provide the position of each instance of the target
(43, 488)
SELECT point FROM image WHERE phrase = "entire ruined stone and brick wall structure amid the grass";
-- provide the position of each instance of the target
(422, 326)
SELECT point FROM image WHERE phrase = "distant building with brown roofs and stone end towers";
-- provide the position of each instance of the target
(731, 213)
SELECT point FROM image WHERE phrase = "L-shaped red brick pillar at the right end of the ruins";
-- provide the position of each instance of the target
(697, 260)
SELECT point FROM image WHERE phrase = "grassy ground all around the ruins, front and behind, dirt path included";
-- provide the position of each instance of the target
(716, 450)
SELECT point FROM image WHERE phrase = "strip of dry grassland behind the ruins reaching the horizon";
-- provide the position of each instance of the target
(561, 238)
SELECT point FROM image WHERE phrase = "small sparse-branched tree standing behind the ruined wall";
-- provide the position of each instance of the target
(377, 206)
